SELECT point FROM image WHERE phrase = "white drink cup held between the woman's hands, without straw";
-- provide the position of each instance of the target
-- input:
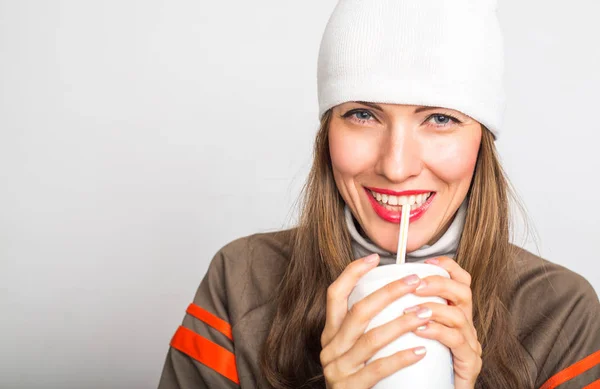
(435, 370)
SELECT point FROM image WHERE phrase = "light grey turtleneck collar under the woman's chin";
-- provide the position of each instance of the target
(445, 246)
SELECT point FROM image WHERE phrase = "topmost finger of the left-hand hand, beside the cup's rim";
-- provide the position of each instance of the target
(338, 292)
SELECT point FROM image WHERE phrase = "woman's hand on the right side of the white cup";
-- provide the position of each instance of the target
(452, 324)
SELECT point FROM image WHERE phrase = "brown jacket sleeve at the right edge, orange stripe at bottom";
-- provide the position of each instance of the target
(564, 336)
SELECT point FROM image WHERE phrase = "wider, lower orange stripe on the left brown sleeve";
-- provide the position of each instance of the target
(206, 352)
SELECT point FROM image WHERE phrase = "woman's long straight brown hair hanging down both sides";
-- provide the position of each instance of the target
(321, 249)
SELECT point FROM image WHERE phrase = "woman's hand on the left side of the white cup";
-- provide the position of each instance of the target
(346, 346)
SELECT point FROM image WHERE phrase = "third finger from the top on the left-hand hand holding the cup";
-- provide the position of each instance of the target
(373, 340)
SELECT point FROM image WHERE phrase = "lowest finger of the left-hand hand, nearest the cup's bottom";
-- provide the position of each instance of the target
(383, 367)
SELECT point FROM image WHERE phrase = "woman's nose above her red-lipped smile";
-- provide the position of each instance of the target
(400, 157)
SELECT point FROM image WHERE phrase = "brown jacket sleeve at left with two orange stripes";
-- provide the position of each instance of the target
(201, 353)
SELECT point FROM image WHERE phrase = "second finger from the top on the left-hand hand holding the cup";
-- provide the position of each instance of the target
(358, 317)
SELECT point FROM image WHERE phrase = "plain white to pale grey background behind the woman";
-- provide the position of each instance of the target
(138, 137)
